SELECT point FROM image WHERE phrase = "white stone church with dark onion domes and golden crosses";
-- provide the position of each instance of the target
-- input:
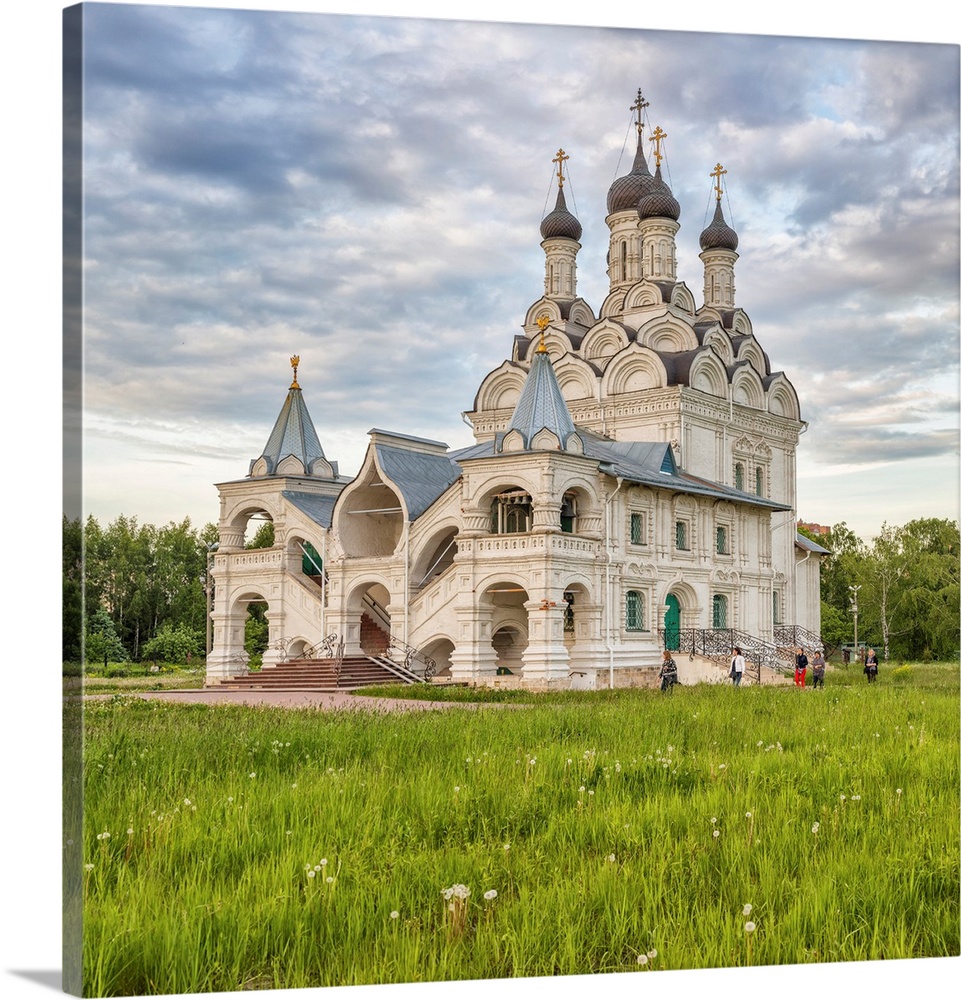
(631, 488)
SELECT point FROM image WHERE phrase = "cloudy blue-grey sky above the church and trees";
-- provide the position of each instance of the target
(366, 192)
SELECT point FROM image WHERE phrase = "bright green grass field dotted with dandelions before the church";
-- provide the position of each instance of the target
(228, 848)
